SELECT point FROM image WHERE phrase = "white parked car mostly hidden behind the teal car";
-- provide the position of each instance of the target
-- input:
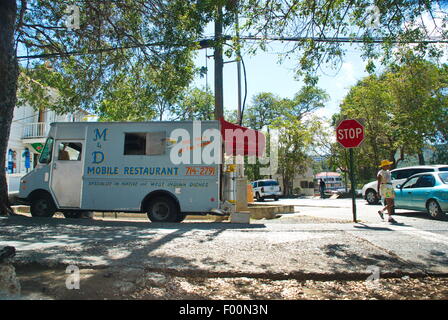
(399, 176)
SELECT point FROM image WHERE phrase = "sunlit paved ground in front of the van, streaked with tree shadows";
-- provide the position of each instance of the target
(318, 241)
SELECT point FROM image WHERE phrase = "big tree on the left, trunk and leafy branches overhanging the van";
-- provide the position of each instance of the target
(111, 39)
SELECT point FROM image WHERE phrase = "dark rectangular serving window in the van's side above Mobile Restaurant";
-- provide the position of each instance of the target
(144, 143)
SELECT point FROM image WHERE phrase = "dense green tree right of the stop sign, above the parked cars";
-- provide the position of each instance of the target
(403, 110)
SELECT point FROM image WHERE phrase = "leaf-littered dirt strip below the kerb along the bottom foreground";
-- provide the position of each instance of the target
(134, 283)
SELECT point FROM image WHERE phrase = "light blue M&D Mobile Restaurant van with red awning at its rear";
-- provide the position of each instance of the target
(164, 169)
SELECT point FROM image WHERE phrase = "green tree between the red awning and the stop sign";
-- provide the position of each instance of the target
(299, 131)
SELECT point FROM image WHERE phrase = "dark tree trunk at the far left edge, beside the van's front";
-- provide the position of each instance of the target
(8, 87)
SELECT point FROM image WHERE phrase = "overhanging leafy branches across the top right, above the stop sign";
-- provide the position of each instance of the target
(322, 28)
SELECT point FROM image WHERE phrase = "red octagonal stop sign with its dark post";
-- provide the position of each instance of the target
(350, 134)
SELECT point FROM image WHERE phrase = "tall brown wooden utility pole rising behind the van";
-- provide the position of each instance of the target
(219, 96)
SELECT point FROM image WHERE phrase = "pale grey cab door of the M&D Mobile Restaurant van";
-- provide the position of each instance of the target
(67, 171)
